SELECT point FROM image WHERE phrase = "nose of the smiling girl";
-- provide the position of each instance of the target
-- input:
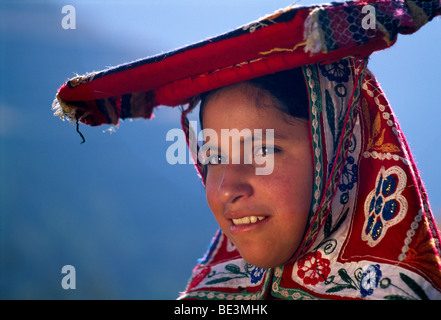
(235, 184)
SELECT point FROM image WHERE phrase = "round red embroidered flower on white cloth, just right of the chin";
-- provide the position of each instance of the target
(313, 268)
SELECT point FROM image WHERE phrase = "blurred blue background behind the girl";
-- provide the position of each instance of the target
(131, 224)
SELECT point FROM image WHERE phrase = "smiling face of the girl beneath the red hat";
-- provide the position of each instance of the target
(265, 216)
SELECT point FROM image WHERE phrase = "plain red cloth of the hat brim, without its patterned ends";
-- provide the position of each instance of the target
(177, 77)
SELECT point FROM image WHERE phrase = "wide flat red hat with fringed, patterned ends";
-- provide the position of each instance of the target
(289, 38)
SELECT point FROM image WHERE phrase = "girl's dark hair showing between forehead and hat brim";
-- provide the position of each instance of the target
(288, 87)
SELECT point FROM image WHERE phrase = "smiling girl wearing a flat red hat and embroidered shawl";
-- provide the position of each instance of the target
(343, 214)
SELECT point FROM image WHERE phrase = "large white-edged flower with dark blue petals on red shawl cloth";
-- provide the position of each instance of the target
(384, 206)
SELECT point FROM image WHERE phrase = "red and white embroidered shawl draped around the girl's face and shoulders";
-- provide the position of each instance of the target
(371, 232)
